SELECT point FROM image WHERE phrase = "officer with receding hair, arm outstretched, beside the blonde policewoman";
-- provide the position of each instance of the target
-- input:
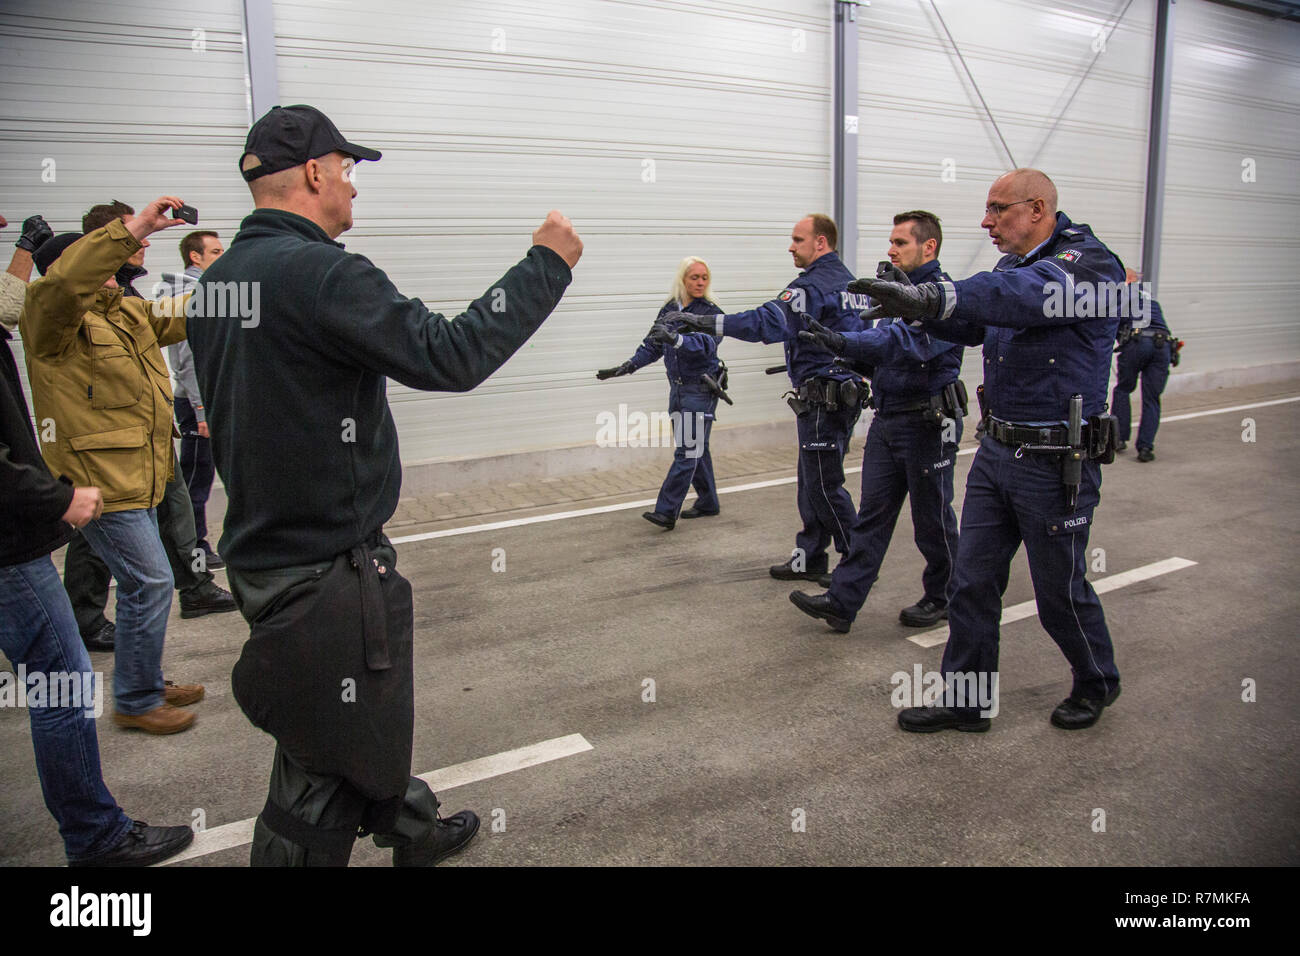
(827, 399)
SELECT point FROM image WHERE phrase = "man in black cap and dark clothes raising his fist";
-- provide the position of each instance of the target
(307, 448)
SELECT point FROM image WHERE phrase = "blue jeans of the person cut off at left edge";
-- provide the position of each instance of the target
(38, 631)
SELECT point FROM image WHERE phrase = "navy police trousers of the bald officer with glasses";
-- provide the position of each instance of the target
(1011, 500)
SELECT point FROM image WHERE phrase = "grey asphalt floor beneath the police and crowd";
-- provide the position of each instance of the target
(764, 717)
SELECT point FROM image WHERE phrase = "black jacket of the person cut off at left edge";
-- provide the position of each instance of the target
(32, 500)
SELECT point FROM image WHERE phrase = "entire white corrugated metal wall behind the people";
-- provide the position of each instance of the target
(677, 128)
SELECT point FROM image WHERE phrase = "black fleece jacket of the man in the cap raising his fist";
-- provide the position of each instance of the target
(293, 373)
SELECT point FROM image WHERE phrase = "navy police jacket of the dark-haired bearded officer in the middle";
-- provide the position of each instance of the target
(911, 365)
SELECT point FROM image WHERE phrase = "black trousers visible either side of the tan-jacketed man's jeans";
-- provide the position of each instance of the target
(86, 577)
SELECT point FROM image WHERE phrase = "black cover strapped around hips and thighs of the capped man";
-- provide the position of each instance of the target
(328, 673)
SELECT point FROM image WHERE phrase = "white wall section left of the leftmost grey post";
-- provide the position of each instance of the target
(132, 101)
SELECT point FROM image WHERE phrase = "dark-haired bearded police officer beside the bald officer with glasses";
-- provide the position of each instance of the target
(912, 444)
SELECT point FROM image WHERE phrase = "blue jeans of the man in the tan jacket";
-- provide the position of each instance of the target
(129, 543)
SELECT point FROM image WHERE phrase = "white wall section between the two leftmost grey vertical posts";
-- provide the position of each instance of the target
(492, 114)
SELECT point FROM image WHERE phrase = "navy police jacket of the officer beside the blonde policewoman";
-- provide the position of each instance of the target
(817, 293)
